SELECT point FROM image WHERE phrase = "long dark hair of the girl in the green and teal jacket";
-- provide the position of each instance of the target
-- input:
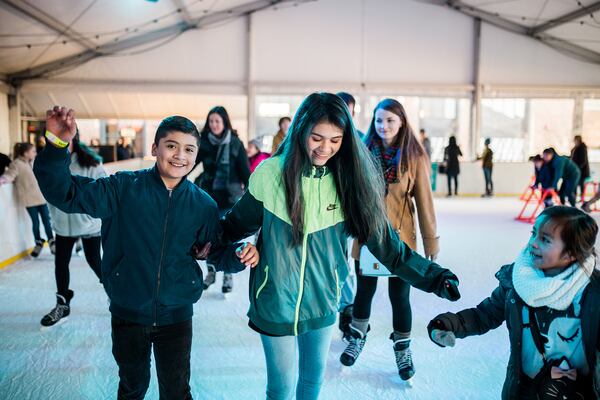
(358, 181)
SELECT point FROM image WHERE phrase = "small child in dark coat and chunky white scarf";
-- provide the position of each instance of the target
(549, 298)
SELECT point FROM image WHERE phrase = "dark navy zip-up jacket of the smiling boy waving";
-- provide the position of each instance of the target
(148, 270)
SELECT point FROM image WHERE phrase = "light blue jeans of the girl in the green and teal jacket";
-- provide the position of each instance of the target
(281, 354)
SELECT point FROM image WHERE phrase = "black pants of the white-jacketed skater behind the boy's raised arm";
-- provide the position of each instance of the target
(64, 248)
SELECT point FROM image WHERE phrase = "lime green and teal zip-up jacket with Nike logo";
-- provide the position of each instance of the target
(296, 287)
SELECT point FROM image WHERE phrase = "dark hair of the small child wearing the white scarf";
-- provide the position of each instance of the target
(578, 230)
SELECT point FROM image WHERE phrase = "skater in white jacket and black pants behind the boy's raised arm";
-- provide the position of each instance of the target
(69, 229)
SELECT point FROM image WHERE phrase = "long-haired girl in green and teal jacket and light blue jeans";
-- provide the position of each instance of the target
(320, 187)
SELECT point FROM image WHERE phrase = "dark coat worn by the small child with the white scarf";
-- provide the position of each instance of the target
(505, 305)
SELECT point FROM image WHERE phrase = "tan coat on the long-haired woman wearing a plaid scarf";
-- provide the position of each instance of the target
(413, 184)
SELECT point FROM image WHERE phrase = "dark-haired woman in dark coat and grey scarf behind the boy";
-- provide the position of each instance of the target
(226, 171)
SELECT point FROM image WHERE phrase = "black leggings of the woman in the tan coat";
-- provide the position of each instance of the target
(399, 292)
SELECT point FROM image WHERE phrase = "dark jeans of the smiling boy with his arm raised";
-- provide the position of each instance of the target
(132, 344)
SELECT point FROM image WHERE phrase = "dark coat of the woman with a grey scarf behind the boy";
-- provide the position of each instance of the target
(239, 171)
